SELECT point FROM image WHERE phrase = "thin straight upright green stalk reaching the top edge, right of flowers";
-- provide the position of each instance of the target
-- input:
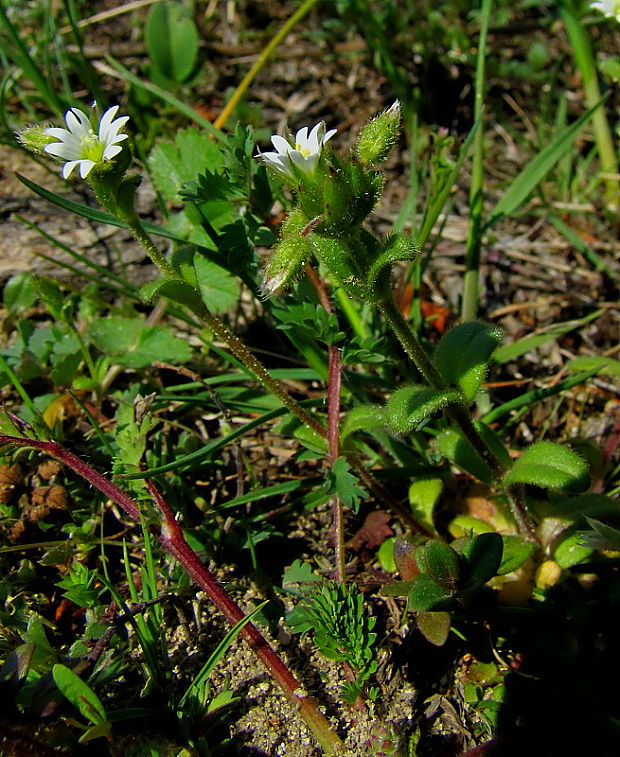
(469, 307)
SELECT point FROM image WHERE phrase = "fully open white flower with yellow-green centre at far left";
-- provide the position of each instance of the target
(80, 146)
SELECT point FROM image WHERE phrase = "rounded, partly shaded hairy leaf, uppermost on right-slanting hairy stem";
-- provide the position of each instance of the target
(463, 355)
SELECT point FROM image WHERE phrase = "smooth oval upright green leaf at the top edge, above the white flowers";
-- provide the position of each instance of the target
(171, 40)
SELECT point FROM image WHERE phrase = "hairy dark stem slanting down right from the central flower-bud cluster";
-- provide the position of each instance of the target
(458, 413)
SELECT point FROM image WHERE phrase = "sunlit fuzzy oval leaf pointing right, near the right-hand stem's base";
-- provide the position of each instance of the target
(551, 466)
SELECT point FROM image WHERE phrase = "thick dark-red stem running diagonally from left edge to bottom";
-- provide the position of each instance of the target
(172, 539)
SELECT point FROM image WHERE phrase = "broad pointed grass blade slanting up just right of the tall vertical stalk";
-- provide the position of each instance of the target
(535, 171)
